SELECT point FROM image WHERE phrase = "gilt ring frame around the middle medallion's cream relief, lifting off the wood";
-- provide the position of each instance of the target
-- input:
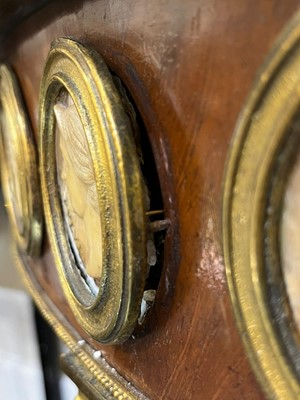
(110, 316)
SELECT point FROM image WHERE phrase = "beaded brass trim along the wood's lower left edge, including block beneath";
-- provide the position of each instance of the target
(106, 381)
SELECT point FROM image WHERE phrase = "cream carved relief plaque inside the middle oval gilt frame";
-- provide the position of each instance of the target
(78, 192)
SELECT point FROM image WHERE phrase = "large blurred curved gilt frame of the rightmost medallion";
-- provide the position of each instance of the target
(262, 153)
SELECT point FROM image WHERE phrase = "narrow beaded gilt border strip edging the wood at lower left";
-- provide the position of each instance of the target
(111, 384)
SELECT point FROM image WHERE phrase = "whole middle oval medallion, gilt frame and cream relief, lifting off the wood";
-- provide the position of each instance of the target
(77, 80)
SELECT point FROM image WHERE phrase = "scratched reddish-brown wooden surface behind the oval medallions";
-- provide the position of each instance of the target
(189, 67)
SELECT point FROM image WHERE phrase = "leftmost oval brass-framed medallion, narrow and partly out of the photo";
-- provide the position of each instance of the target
(19, 167)
